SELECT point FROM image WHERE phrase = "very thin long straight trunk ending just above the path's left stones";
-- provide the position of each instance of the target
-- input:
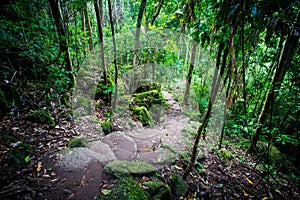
(115, 55)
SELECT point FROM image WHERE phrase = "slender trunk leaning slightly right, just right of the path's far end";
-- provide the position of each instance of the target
(189, 75)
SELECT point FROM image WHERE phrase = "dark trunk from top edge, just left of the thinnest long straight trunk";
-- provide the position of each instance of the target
(101, 40)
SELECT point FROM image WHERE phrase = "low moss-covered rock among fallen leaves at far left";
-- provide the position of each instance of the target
(41, 117)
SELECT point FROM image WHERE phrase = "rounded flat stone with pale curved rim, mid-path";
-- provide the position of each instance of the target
(123, 146)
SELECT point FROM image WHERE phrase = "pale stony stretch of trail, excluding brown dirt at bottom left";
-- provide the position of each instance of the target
(158, 145)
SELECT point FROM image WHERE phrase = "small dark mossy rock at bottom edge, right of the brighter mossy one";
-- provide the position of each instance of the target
(158, 190)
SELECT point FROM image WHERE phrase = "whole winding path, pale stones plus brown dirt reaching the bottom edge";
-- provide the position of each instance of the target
(80, 170)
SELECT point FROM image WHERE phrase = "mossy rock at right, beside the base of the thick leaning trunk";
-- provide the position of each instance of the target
(271, 155)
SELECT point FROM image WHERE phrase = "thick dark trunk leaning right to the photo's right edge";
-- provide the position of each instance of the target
(285, 60)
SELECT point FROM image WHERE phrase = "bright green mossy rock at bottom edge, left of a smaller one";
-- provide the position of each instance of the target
(126, 189)
